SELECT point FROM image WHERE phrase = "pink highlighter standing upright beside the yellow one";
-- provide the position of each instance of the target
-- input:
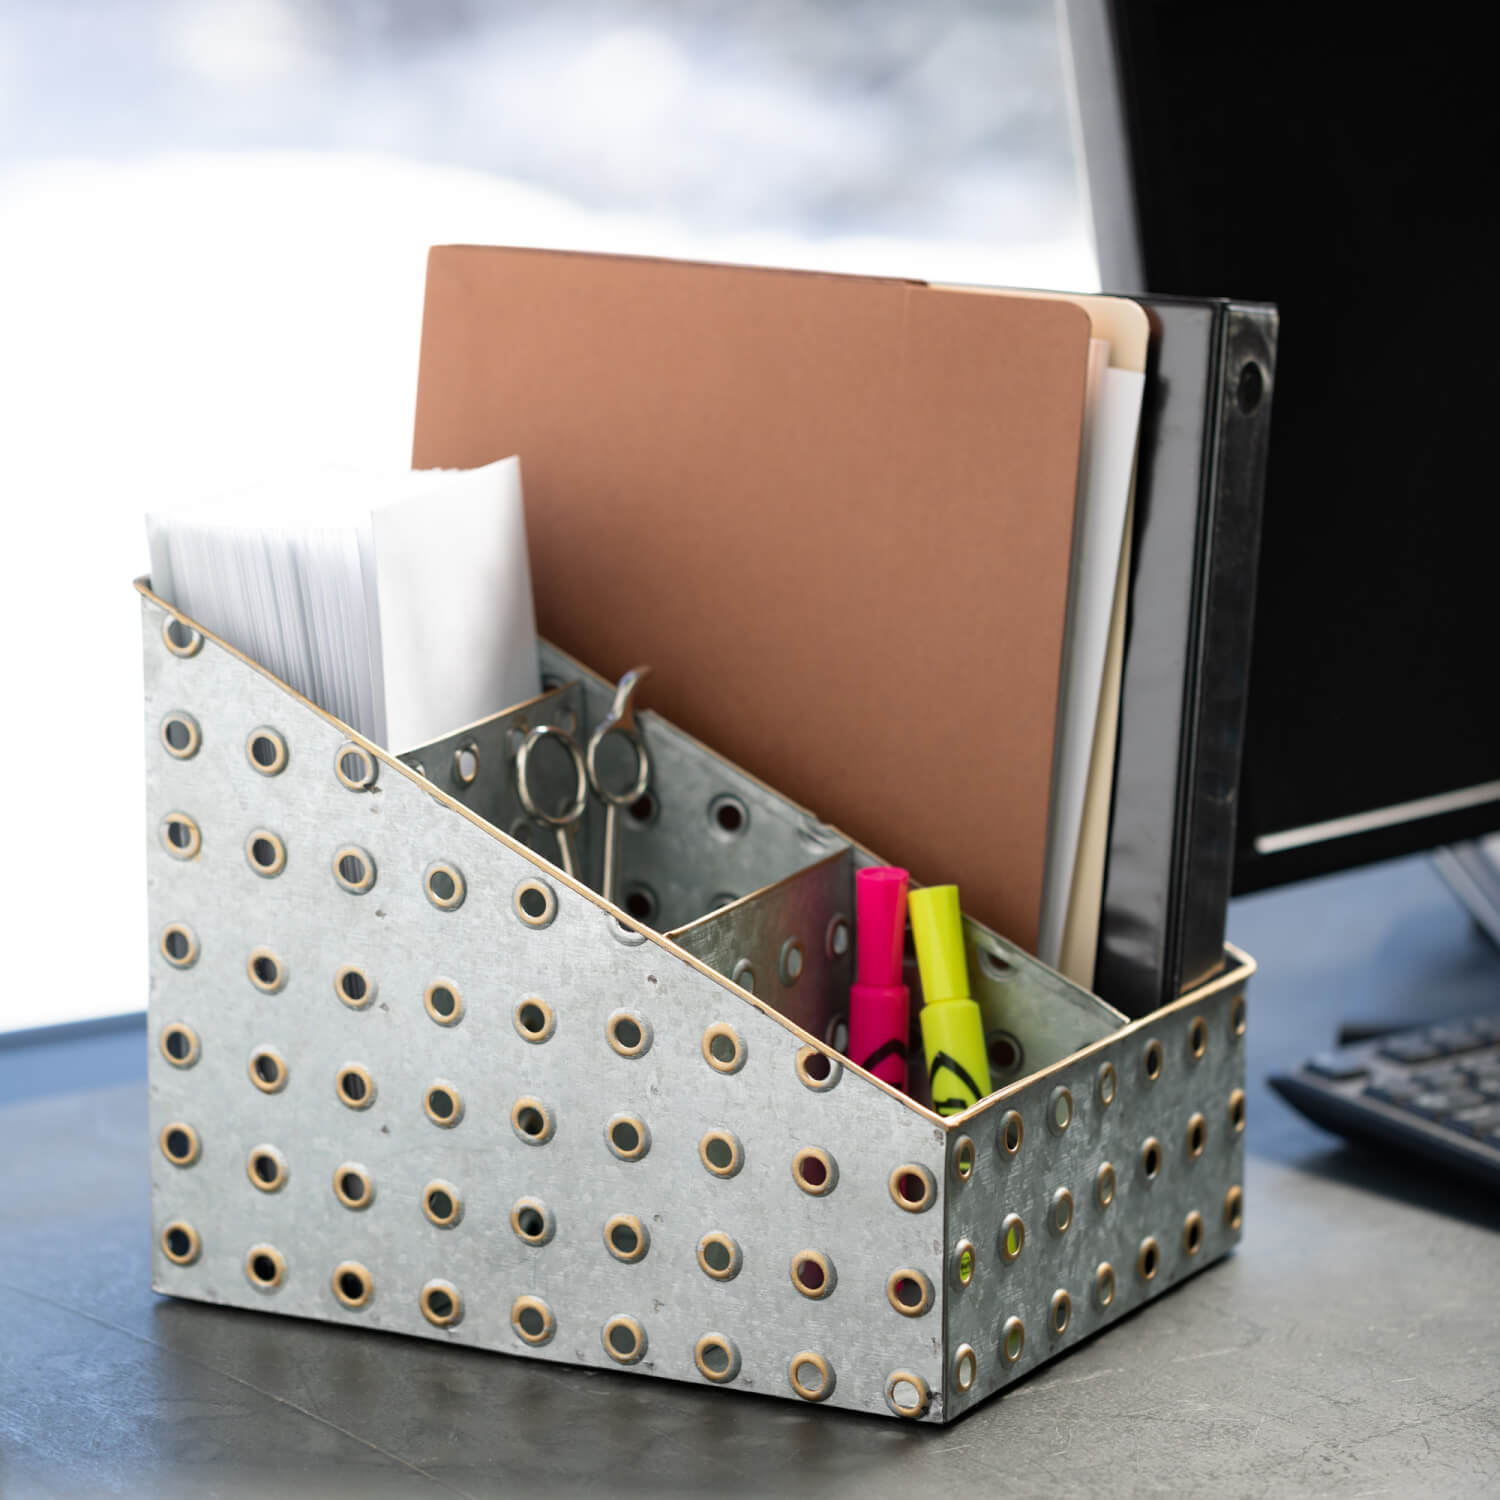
(880, 1004)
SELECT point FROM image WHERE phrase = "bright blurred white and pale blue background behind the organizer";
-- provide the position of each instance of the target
(214, 221)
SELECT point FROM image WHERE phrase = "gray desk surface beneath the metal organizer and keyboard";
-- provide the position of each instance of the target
(1351, 1348)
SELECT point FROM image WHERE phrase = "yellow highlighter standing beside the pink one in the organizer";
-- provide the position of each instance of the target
(953, 1031)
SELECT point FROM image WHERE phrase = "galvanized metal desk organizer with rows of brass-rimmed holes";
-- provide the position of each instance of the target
(409, 1076)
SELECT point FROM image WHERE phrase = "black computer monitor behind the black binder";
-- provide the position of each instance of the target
(1348, 172)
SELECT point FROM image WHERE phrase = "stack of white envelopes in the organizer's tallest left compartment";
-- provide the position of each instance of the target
(398, 602)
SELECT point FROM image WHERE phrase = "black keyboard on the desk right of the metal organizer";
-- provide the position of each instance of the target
(1433, 1093)
